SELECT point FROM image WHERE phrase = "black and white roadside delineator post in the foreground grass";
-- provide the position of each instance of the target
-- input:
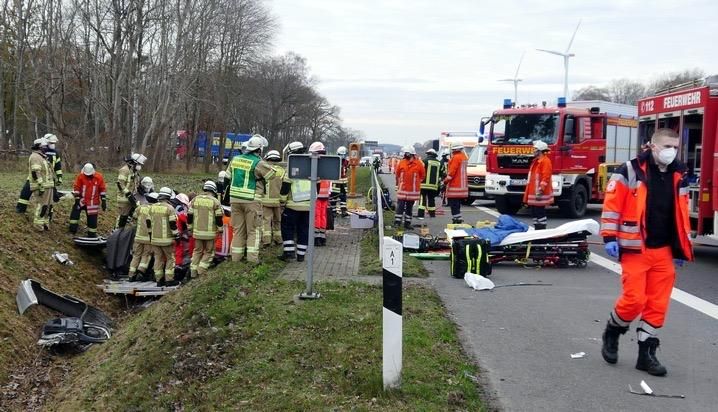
(392, 265)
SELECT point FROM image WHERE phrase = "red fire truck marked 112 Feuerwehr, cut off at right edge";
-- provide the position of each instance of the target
(691, 110)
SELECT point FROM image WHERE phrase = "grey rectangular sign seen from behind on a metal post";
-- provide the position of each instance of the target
(313, 167)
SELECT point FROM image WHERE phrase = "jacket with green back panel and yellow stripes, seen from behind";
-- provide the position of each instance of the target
(248, 173)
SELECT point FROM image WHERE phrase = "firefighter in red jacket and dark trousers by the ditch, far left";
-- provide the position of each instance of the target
(90, 195)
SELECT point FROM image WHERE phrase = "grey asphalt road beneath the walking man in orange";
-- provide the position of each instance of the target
(522, 337)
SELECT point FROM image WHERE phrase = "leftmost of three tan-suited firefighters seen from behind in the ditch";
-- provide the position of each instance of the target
(142, 245)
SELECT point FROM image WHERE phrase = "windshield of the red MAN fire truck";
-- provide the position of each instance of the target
(523, 129)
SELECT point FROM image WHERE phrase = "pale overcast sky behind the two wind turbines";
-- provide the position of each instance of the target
(403, 71)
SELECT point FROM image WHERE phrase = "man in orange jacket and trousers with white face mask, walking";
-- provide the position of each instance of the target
(645, 224)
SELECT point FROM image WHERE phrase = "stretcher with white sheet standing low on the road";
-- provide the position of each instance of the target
(564, 246)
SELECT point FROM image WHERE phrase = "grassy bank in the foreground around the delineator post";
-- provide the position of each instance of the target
(238, 339)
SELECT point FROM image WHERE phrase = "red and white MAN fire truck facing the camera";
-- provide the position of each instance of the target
(587, 141)
